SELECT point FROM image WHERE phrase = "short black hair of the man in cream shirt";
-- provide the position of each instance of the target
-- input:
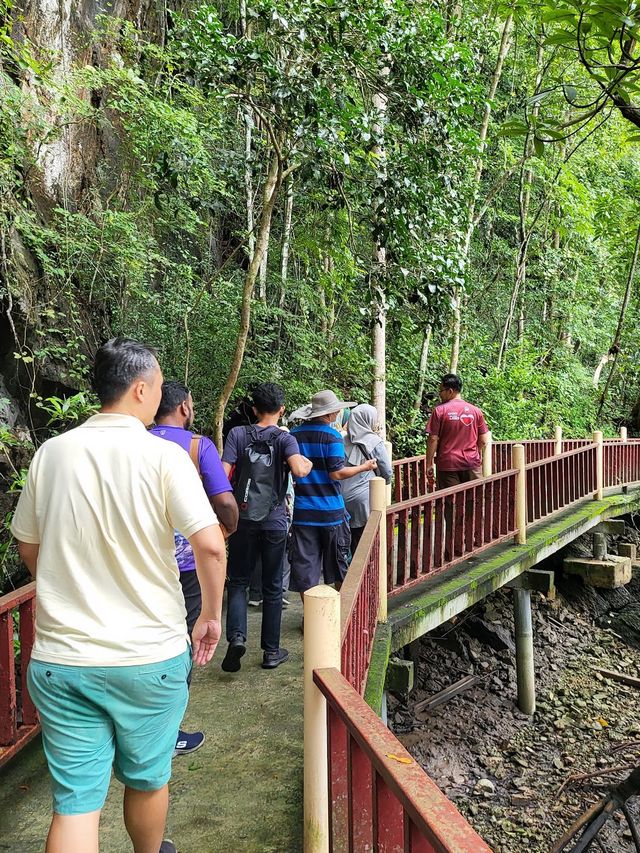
(118, 364)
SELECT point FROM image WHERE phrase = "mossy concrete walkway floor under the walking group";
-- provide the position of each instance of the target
(241, 792)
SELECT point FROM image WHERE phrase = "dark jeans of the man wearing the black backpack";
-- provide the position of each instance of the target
(244, 548)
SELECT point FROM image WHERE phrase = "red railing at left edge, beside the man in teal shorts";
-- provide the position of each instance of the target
(18, 718)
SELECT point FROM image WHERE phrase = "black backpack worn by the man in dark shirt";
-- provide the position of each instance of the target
(259, 481)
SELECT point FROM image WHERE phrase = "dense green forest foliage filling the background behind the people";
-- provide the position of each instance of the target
(375, 108)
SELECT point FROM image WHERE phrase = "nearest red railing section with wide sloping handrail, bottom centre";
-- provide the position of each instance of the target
(380, 799)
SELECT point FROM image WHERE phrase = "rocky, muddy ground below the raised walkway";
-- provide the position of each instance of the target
(510, 774)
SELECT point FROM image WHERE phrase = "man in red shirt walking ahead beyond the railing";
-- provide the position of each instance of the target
(457, 433)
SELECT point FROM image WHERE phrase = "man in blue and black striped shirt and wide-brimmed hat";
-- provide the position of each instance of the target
(320, 534)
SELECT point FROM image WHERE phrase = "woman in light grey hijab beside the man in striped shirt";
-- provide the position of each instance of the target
(362, 442)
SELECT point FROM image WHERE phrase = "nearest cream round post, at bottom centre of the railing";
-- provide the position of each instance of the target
(321, 647)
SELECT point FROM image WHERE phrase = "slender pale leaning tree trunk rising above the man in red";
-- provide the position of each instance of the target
(505, 44)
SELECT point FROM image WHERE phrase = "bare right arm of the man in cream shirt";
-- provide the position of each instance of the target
(211, 567)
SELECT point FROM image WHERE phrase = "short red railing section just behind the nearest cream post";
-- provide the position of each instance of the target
(359, 603)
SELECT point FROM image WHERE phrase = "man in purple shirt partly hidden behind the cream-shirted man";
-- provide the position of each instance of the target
(174, 422)
